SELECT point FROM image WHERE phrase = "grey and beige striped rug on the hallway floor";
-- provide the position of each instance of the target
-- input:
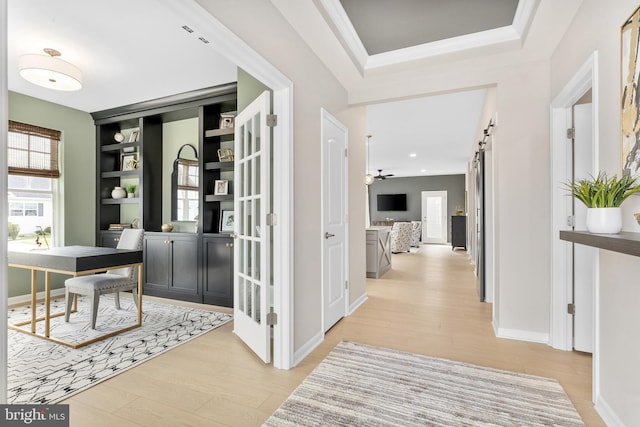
(361, 385)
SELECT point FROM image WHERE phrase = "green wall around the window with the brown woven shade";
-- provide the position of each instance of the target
(77, 181)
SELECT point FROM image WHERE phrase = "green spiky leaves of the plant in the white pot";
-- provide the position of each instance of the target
(602, 191)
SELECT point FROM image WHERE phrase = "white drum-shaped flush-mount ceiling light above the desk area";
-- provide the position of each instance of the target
(50, 71)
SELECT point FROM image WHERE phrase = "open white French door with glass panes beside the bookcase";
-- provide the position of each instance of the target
(252, 251)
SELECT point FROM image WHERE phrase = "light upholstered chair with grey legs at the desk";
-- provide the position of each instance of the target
(113, 281)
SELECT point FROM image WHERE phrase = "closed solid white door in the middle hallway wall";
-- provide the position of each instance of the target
(334, 224)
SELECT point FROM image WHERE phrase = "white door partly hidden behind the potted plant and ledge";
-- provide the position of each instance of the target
(584, 257)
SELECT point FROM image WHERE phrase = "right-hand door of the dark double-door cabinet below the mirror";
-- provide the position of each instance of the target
(184, 265)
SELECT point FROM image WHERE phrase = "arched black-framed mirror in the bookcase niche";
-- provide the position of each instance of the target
(184, 185)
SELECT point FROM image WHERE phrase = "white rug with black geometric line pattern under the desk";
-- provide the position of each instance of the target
(41, 372)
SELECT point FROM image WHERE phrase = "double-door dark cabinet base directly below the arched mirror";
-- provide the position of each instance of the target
(171, 266)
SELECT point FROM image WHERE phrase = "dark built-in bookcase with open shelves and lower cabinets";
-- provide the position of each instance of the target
(195, 266)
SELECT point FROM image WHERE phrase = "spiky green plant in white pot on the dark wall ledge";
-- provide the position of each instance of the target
(603, 196)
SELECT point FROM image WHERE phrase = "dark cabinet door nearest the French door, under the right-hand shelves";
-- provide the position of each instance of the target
(218, 271)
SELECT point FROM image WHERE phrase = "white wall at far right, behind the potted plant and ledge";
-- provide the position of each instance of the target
(597, 27)
